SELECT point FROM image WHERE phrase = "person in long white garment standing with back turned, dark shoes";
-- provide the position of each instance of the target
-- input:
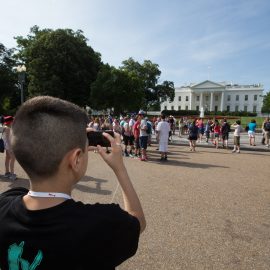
(163, 129)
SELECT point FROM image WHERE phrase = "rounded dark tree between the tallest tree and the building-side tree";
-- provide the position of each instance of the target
(117, 89)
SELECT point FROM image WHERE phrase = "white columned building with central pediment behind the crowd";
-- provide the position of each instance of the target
(212, 96)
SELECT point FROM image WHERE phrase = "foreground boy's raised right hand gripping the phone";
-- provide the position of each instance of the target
(115, 158)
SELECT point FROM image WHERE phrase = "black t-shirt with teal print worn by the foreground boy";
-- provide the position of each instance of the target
(71, 235)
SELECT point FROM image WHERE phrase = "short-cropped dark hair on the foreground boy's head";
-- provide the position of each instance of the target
(44, 130)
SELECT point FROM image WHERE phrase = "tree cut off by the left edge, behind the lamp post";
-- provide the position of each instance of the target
(9, 94)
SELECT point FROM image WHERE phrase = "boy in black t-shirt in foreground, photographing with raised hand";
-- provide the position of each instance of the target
(44, 228)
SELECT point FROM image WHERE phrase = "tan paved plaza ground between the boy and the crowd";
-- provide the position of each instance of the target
(204, 210)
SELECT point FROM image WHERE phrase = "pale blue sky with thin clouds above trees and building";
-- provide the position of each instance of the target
(191, 41)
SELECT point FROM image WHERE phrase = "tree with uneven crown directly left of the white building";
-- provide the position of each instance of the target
(148, 73)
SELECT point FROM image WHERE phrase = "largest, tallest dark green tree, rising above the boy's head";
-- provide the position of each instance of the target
(59, 63)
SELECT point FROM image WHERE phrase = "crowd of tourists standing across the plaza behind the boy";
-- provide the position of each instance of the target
(136, 131)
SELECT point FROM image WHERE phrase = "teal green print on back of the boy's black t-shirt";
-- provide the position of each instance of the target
(15, 258)
